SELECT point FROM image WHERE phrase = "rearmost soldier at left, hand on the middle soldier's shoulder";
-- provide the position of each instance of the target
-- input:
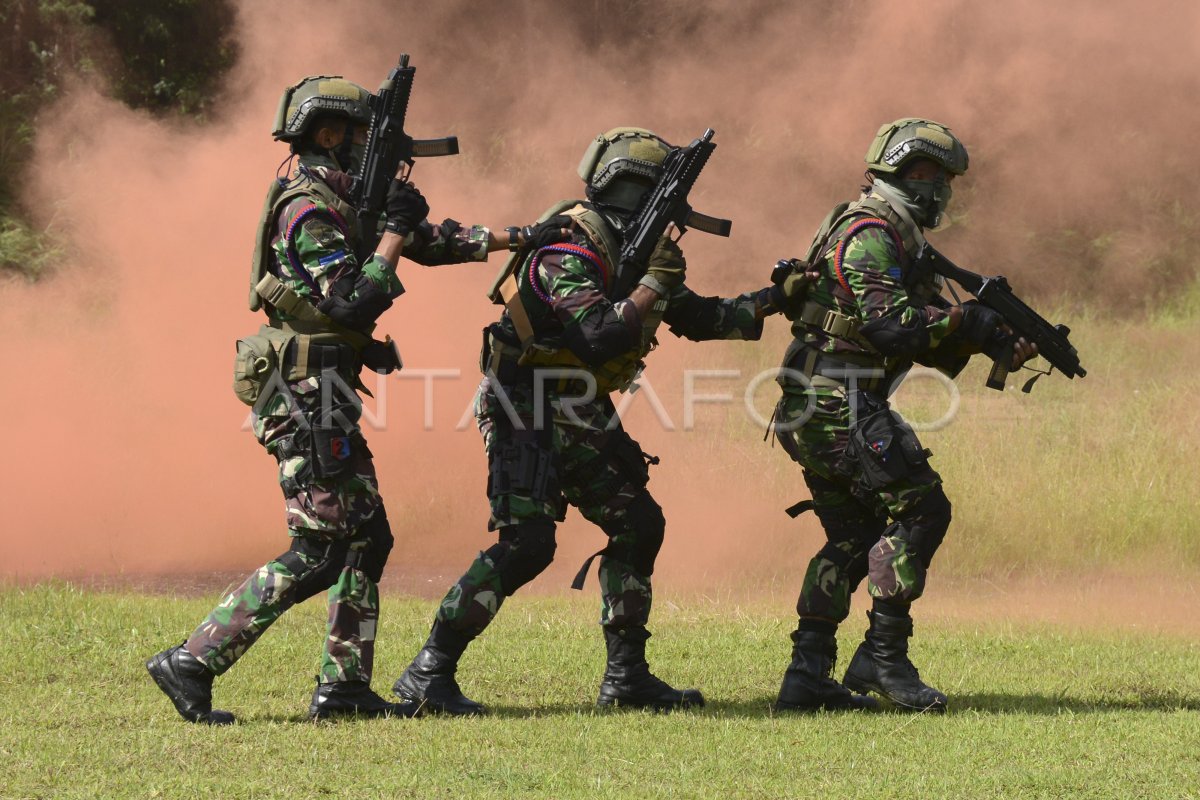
(321, 300)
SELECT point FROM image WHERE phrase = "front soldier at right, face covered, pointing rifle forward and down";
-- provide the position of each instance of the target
(863, 310)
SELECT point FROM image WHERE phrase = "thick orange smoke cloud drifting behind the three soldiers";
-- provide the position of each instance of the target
(124, 453)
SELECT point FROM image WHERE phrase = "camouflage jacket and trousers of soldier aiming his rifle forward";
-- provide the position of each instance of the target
(866, 278)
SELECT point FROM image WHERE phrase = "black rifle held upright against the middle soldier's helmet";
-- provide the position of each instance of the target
(668, 203)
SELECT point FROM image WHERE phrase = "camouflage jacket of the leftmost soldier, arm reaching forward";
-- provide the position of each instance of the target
(323, 244)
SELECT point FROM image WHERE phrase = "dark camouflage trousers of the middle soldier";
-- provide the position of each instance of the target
(544, 456)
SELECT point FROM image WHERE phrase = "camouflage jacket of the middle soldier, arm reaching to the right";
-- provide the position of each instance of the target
(572, 304)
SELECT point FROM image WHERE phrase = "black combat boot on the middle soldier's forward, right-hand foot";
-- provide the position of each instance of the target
(628, 681)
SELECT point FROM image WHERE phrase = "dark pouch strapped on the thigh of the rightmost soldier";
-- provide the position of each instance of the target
(885, 448)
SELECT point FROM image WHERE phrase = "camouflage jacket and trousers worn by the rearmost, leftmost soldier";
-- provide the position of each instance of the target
(339, 527)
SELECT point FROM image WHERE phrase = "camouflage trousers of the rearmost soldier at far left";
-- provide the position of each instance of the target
(340, 543)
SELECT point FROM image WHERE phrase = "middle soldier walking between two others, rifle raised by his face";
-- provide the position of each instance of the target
(575, 330)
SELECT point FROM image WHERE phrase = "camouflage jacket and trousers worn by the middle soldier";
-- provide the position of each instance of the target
(578, 454)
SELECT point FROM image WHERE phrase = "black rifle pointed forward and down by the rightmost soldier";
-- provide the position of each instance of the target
(995, 293)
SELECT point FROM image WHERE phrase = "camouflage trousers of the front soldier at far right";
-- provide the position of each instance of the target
(881, 525)
